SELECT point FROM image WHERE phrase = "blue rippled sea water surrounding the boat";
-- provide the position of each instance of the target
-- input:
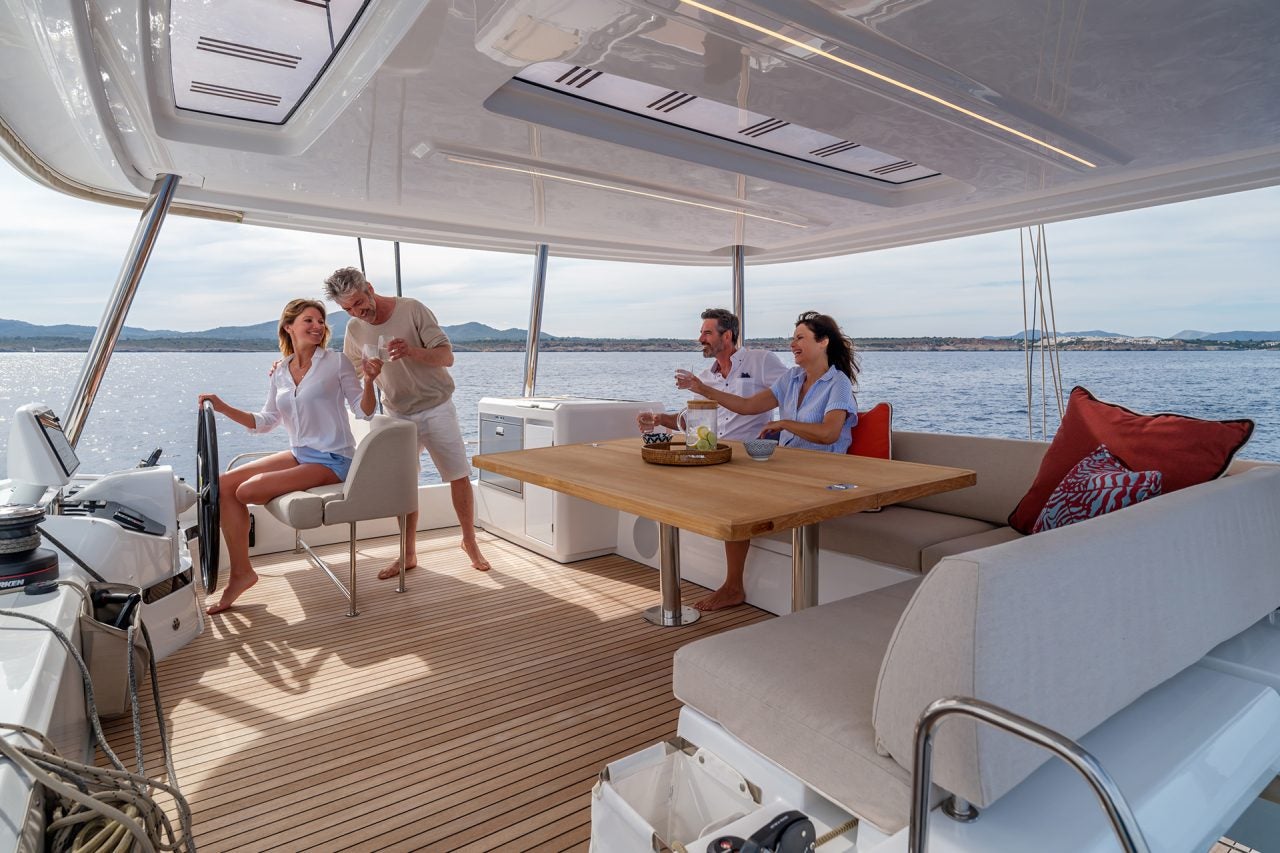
(148, 400)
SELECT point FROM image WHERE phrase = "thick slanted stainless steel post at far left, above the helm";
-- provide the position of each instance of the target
(118, 308)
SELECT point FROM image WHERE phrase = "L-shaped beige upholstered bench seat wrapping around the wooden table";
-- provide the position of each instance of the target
(1067, 627)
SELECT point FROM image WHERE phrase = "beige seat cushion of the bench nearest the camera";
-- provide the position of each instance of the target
(799, 690)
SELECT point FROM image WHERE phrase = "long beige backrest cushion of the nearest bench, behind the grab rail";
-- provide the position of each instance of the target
(1071, 626)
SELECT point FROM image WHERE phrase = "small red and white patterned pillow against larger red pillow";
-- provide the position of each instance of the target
(1100, 483)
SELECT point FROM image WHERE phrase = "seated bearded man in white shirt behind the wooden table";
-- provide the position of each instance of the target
(744, 373)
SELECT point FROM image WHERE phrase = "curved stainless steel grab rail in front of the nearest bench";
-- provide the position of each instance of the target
(1109, 795)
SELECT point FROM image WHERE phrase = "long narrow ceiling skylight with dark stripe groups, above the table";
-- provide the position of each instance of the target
(725, 122)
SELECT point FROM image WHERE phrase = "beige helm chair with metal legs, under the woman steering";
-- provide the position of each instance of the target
(382, 483)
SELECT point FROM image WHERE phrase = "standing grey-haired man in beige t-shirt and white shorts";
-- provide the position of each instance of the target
(417, 386)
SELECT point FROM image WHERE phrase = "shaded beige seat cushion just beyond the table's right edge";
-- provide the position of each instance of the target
(894, 536)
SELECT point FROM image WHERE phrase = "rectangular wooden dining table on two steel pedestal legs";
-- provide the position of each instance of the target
(794, 490)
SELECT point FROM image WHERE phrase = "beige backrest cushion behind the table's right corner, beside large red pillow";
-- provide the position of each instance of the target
(1005, 467)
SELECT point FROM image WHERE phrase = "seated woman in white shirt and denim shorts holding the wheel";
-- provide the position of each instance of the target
(309, 389)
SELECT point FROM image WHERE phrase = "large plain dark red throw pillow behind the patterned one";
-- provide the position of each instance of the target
(1185, 450)
